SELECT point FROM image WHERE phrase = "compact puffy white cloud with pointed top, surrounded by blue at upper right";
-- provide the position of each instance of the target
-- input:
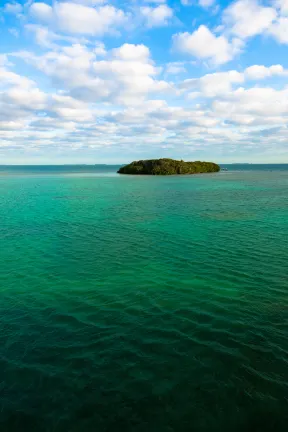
(203, 44)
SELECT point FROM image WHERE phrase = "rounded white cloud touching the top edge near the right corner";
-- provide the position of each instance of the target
(247, 18)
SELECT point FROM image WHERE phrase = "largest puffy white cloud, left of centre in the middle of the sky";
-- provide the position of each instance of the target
(128, 74)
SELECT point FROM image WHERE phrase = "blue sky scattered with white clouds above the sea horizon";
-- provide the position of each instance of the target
(96, 81)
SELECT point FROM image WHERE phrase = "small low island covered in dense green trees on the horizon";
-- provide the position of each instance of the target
(168, 167)
